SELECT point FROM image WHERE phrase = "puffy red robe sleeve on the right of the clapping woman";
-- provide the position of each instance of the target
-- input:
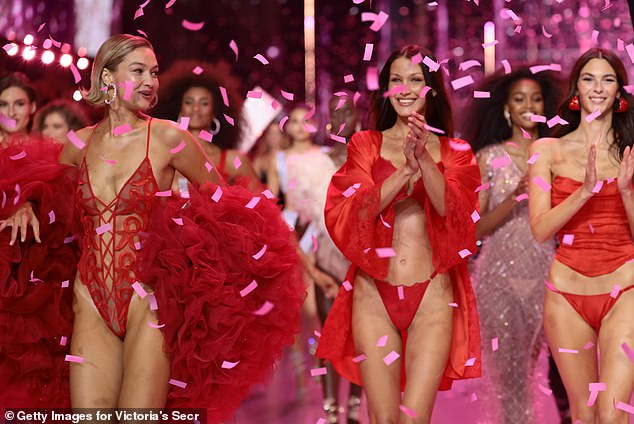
(452, 235)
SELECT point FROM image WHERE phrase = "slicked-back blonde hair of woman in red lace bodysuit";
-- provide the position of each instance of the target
(109, 56)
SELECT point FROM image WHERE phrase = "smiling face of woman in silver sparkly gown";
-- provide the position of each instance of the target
(525, 100)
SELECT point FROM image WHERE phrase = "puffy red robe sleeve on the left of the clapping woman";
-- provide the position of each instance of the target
(352, 207)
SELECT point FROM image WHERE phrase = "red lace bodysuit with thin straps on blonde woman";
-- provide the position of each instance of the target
(108, 264)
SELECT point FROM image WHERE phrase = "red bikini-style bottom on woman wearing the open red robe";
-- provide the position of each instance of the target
(402, 302)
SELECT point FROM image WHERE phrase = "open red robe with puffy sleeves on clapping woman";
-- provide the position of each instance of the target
(353, 221)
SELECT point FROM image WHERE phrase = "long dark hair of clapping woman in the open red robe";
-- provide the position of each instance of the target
(437, 106)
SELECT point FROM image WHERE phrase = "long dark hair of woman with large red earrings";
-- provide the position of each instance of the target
(622, 123)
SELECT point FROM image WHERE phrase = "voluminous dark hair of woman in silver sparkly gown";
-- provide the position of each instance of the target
(485, 123)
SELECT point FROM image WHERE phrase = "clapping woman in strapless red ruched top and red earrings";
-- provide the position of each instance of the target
(581, 189)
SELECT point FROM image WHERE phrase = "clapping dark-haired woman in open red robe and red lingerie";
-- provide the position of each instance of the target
(400, 209)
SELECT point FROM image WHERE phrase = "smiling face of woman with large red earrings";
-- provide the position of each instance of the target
(598, 86)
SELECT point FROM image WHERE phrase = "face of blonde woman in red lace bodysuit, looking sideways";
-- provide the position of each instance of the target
(136, 78)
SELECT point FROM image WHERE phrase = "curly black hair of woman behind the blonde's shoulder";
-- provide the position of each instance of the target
(180, 77)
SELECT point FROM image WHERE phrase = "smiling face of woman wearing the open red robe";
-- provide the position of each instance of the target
(406, 82)
